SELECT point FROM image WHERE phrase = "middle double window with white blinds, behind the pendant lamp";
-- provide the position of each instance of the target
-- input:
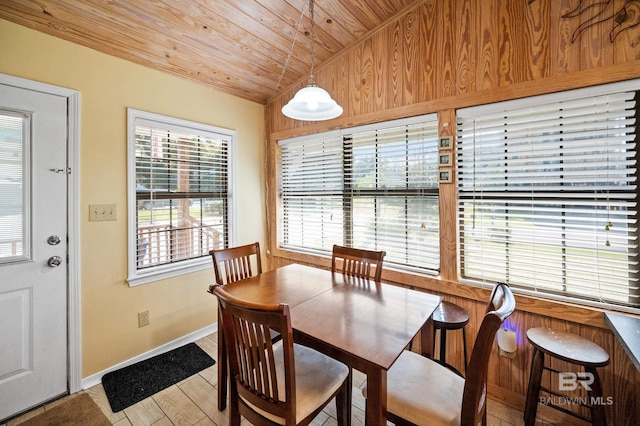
(372, 187)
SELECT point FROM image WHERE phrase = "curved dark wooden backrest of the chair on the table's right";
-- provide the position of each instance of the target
(474, 400)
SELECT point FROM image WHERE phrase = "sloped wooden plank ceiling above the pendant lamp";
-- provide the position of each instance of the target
(236, 46)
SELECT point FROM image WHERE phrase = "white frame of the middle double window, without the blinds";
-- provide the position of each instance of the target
(348, 195)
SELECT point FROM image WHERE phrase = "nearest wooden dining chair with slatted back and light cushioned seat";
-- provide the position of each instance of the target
(281, 384)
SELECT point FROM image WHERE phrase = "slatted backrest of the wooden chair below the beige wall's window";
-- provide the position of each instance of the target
(236, 263)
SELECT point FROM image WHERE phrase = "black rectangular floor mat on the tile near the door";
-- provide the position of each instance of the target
(136, 382)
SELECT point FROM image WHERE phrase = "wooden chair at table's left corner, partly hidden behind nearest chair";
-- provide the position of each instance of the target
(230, 265)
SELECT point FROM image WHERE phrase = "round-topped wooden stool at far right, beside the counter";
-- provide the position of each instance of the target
(575, 350)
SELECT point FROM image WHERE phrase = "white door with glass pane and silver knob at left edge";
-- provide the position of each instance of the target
(33, 249)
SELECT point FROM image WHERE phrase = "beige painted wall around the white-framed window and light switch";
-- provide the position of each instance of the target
(108, 85)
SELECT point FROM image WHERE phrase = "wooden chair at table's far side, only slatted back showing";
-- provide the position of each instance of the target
(358, 262)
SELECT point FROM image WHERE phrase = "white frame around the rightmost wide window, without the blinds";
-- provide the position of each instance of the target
(533, 101)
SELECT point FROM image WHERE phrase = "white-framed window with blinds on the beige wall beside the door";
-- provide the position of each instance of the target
(180, 190)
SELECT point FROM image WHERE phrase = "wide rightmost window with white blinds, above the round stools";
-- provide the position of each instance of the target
(548, 194)
